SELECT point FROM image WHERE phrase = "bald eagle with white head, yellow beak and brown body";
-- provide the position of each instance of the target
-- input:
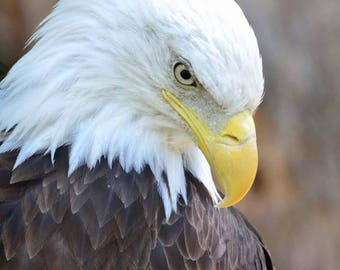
(127, 135)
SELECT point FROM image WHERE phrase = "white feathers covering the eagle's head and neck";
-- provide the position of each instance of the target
(93, 81)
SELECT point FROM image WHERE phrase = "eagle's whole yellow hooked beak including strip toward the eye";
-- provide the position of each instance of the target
(232, 154)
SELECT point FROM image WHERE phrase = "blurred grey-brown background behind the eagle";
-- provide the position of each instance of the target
(295, 203)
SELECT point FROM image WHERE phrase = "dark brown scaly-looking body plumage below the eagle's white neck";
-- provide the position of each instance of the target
(107, 219)
